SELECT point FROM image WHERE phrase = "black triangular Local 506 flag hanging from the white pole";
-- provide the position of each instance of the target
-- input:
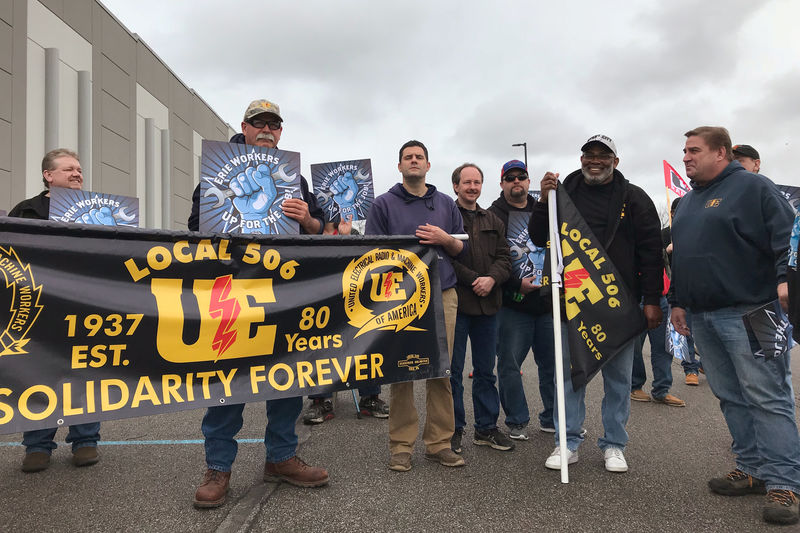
(603, 315)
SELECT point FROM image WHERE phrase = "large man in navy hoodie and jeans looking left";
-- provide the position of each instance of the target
(730, 238)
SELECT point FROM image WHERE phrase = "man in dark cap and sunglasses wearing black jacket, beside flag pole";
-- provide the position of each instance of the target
(525, 320)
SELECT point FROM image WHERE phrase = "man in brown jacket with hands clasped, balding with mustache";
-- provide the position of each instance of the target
(480, 276)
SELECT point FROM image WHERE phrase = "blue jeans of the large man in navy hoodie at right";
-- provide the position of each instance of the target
(755, 395)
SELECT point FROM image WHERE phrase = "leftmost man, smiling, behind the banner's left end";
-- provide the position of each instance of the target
(60, 168)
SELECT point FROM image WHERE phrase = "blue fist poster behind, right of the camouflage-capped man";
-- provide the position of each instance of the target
(344, 189)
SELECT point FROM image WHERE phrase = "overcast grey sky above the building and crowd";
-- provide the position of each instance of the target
(357, 79)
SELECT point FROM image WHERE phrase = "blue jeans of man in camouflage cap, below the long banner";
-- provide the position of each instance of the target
(221, 424)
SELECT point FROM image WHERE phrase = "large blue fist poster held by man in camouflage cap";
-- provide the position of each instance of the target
(242, 188)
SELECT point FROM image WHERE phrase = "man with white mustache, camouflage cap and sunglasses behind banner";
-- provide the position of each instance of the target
(262, 126)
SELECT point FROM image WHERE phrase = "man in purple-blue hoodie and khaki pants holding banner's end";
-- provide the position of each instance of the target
(414, 207)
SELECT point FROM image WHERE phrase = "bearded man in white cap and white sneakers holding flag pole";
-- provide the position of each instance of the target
(624, 219)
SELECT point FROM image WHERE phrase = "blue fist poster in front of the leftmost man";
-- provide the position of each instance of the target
(87, 207)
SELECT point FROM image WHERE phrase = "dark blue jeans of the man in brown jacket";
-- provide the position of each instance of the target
(482, 332)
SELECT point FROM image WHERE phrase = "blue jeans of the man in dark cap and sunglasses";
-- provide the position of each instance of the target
(518, 333)
